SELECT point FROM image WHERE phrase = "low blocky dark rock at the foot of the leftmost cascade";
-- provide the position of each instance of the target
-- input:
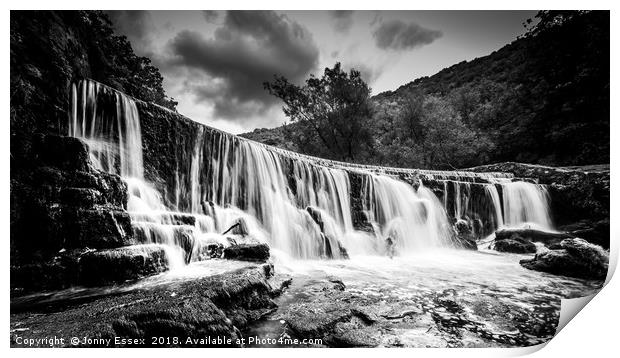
(106, 267)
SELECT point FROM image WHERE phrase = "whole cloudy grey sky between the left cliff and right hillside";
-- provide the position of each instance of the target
(214, 62)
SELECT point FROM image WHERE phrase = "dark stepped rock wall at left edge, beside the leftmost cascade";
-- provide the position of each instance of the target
(61, 207)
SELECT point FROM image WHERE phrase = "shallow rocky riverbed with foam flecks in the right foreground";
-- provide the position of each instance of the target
(340, 316)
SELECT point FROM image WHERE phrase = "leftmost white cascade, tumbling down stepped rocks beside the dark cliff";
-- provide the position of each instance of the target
(109, 123)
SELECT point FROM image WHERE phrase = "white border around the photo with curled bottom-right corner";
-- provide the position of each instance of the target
(592, 332)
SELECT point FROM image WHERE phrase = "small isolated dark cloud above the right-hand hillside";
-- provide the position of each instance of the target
(398, 35)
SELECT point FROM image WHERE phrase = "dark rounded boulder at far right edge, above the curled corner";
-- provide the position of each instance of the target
(574, 258)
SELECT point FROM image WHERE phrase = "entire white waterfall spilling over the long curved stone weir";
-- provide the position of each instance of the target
(300, 205)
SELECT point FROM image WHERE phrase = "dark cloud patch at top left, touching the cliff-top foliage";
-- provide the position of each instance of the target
(137, 25)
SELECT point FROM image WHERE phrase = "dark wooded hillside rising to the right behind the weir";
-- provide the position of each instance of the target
(542, 99)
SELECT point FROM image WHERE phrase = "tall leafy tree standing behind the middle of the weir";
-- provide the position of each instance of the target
(333, 112)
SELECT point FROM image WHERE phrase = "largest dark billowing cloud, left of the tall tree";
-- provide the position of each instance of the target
(250, 47)
